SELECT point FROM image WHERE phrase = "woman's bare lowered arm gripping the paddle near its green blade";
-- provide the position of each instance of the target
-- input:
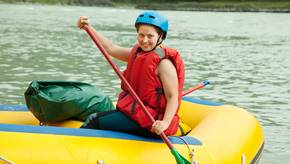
(168, 76)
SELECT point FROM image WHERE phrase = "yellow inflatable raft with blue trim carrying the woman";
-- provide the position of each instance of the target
(221, 134)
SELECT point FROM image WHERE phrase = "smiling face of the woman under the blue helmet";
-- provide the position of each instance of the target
(147, 37)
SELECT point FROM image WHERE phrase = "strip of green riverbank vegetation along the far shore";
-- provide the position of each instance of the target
(188, 5)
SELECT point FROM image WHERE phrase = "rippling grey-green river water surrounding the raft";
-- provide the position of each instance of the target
(244, 55)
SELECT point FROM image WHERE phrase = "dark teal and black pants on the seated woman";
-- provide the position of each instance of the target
(116, 121)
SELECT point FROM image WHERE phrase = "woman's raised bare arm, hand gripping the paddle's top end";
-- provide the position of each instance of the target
(113, 50)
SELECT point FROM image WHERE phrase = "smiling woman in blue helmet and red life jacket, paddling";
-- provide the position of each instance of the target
(156, 74)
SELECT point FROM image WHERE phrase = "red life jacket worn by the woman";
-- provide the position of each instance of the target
(141, 74)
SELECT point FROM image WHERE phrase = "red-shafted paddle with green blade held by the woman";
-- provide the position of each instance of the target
(179, 158)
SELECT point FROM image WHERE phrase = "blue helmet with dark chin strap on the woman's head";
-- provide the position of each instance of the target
(155, 19)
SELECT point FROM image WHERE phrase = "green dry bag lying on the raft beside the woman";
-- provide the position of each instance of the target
(54, 101)
